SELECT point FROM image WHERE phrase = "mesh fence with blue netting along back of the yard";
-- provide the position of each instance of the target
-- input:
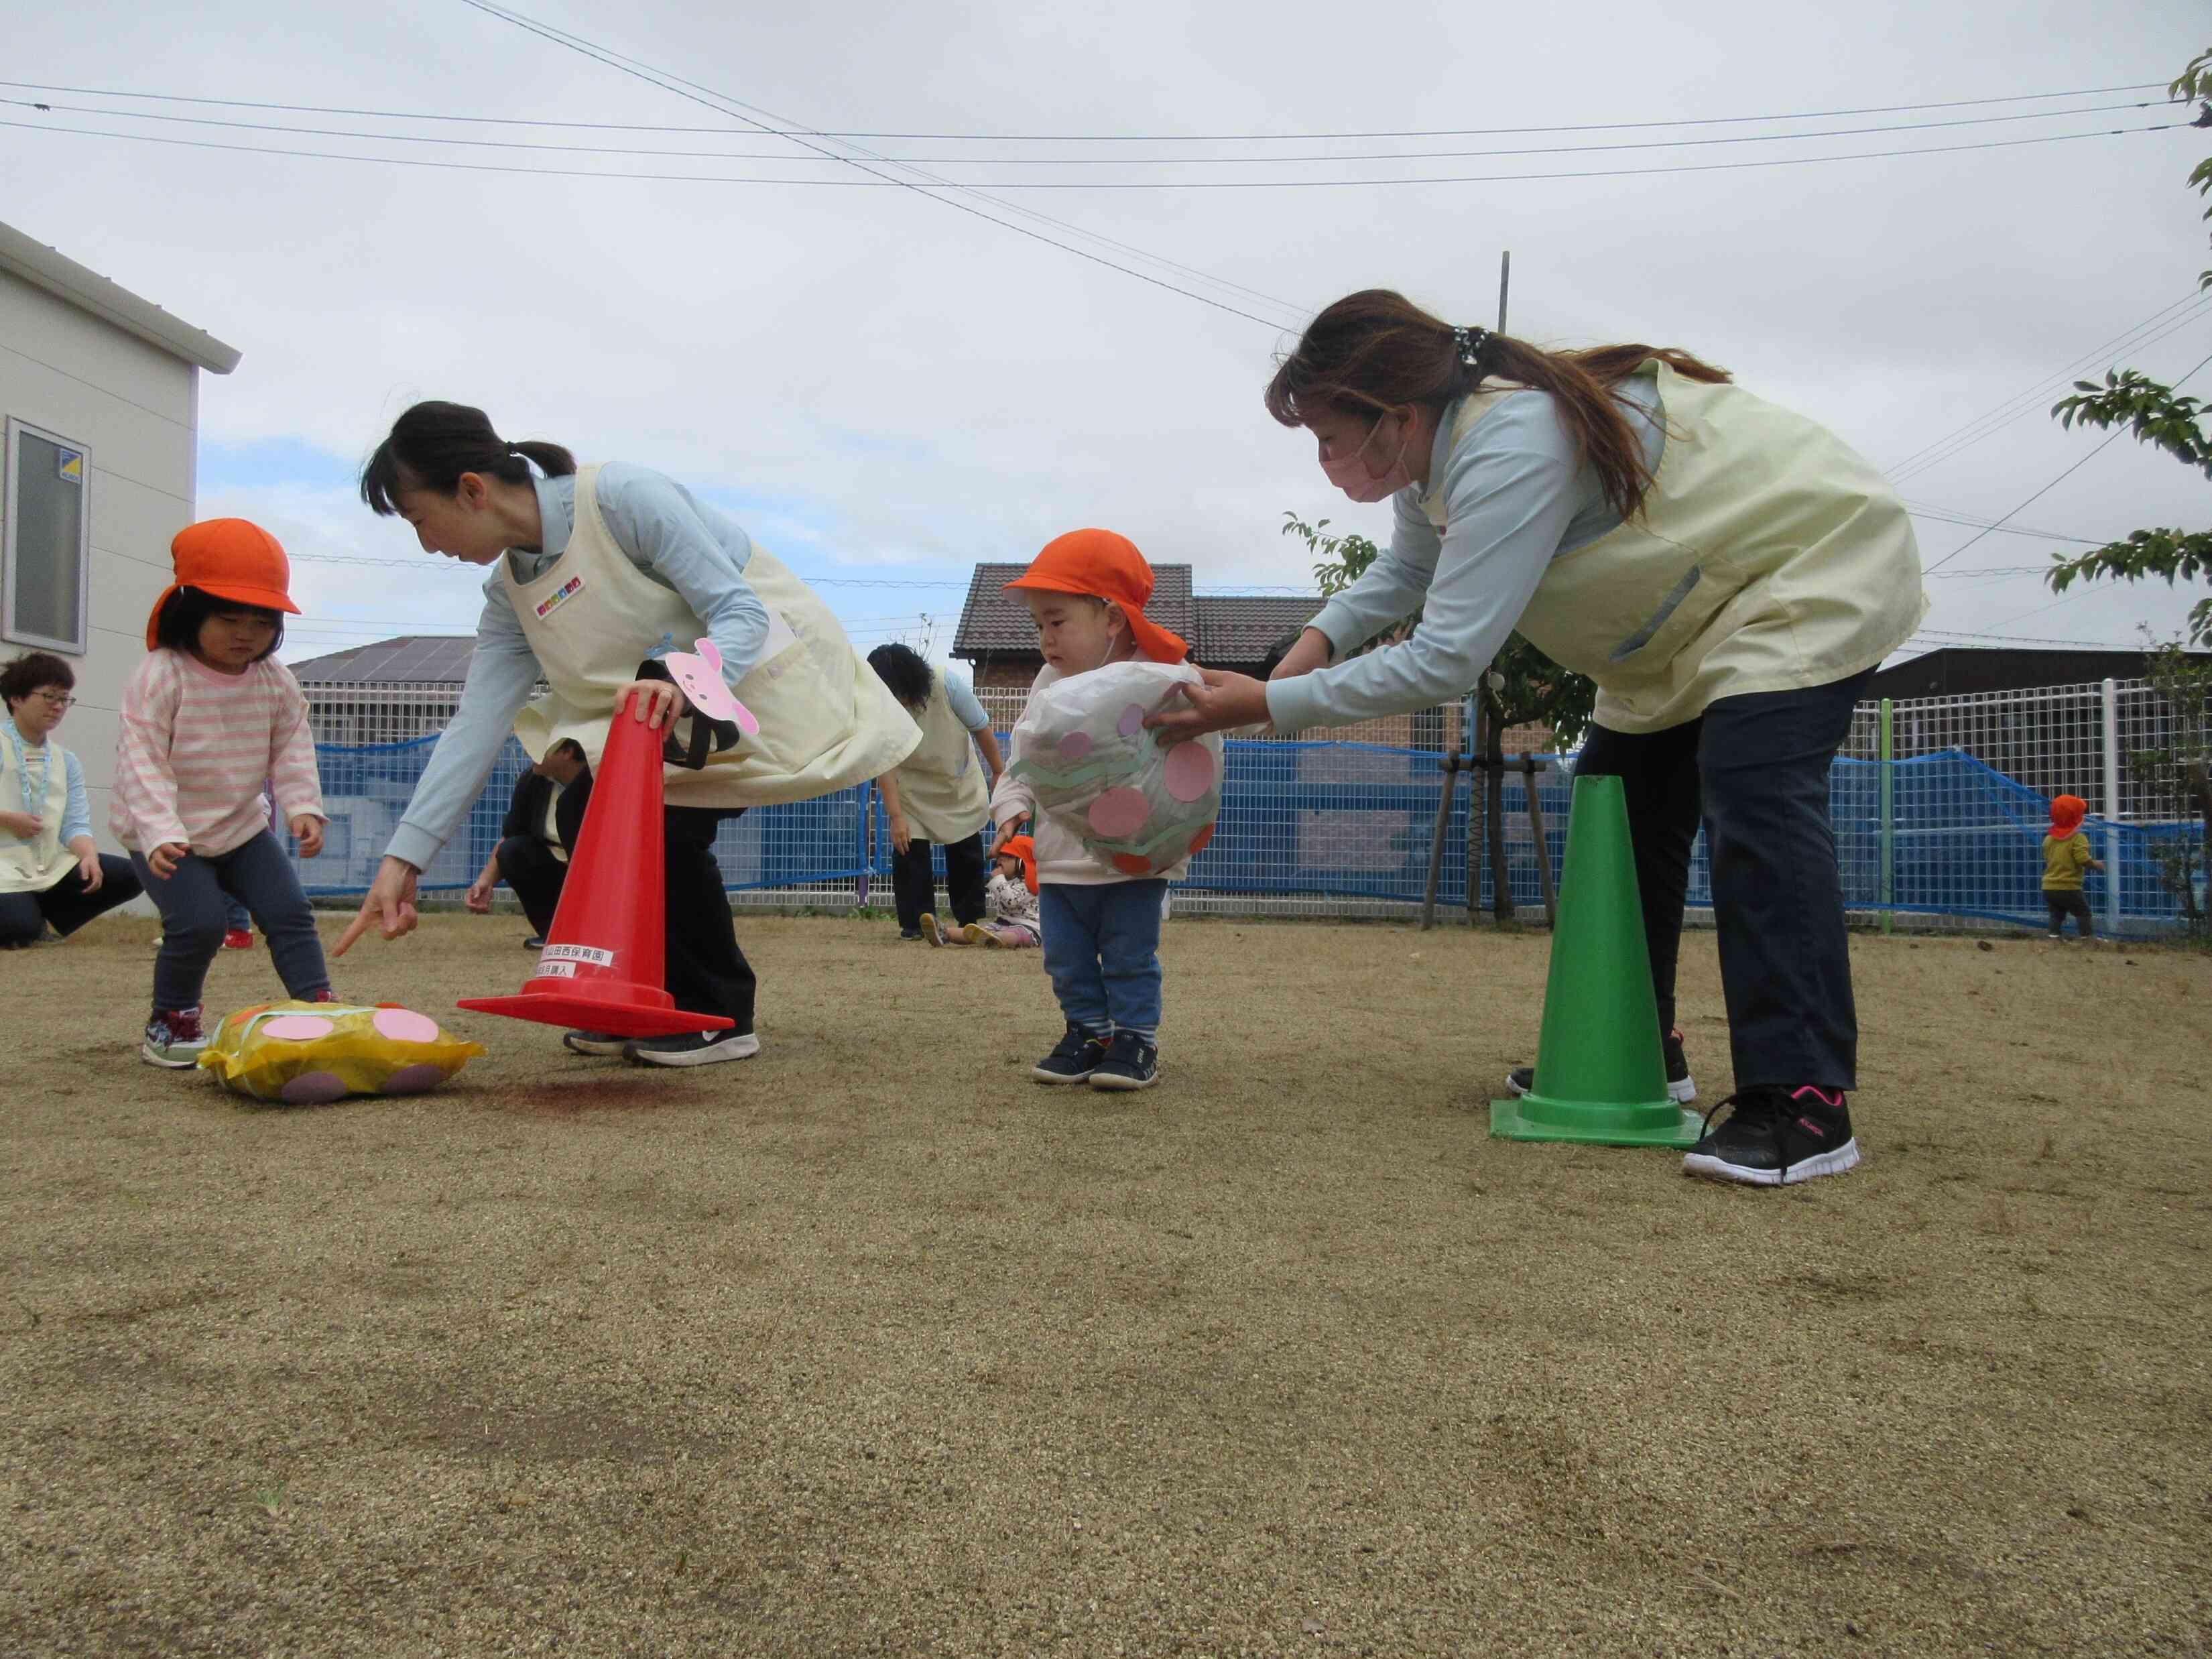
(1939, 808)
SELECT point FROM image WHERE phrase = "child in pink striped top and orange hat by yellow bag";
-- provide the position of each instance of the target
(207, 720)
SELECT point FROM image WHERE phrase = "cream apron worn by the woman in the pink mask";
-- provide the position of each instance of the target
(1768, 556)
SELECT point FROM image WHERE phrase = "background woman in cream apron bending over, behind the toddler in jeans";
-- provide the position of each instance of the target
(937, 795)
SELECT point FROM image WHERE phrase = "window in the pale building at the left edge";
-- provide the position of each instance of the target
(45, 541)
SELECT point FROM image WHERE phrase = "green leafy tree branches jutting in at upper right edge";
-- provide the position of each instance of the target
(2158, 417)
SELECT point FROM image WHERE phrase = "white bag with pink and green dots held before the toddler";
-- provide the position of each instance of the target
(1136, 800)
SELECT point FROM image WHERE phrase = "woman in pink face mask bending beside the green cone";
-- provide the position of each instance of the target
(1726, 572)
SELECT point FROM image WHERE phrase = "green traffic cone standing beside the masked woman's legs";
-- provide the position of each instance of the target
(1598, 1067)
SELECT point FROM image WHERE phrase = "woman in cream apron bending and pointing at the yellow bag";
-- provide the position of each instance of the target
(596, 572)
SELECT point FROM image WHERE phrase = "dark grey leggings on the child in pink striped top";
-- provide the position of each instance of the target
(196, 910)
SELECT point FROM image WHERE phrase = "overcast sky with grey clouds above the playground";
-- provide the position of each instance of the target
(888, 388)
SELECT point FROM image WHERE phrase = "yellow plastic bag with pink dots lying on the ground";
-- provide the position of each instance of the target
(309, 1054)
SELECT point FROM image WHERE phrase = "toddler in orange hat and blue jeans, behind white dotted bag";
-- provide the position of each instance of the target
(1087, 594)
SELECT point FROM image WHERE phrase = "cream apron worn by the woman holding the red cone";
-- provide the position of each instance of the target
(592, 616)
